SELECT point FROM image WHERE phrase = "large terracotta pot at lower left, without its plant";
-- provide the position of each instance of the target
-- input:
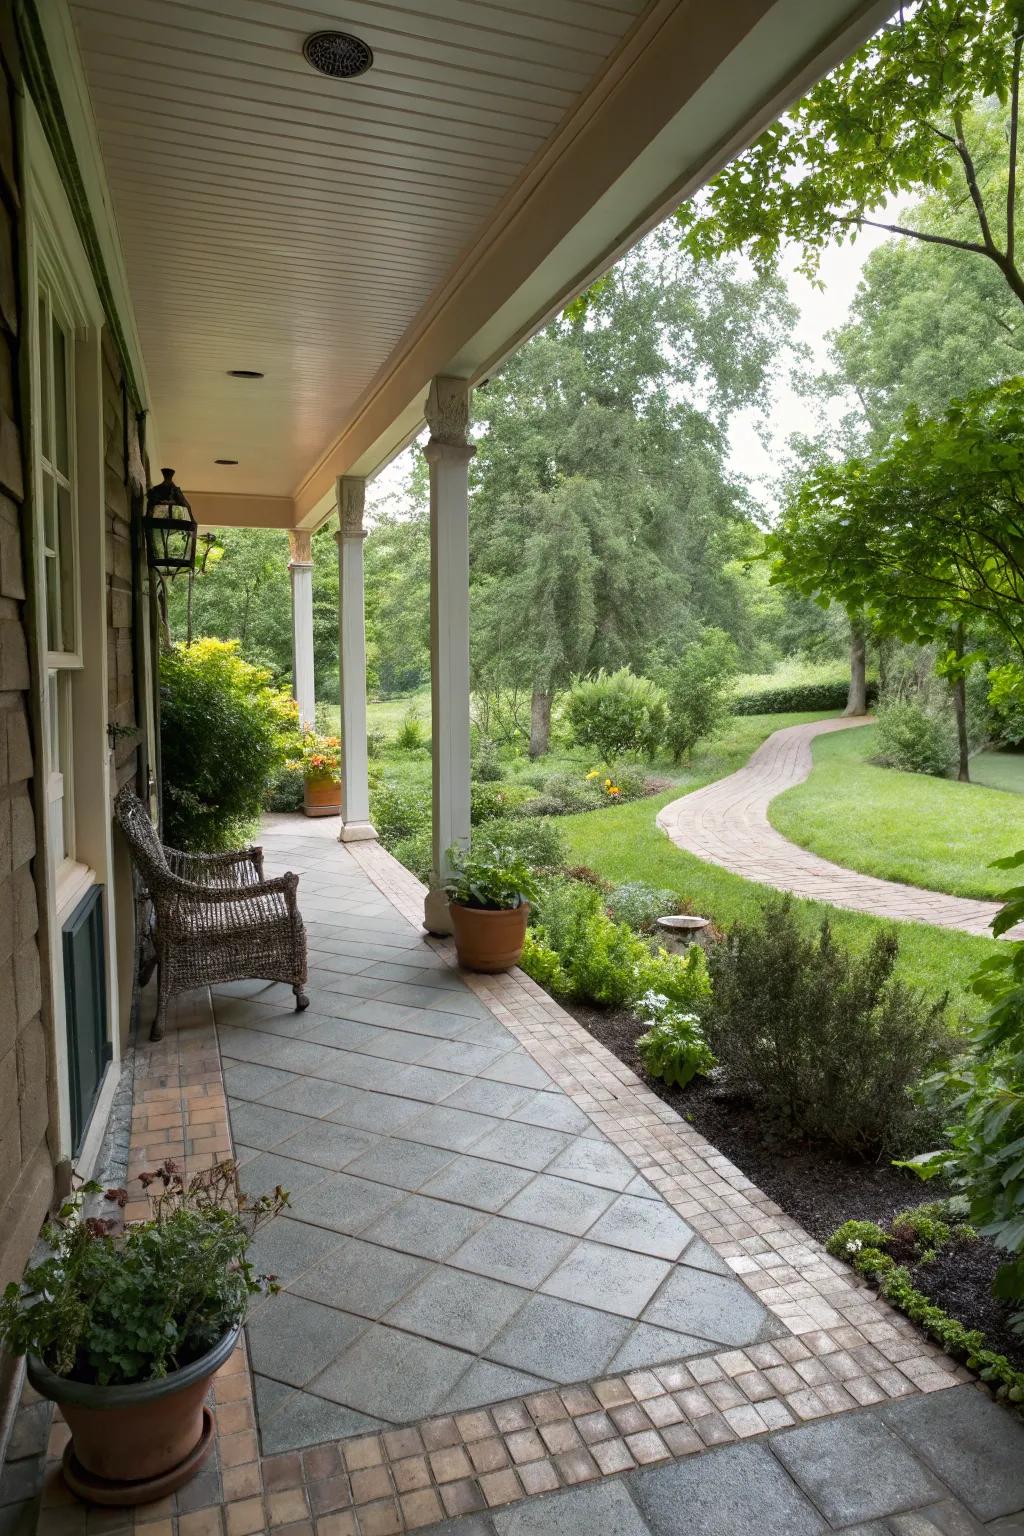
(136, 1442)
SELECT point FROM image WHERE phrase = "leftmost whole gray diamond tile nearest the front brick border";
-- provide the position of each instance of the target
(392, 1375)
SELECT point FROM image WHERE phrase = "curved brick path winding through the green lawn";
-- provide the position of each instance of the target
(727, 824)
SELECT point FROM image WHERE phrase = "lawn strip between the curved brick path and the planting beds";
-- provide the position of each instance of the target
(627, 846)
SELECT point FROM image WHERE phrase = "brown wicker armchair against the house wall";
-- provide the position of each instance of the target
(217, 919)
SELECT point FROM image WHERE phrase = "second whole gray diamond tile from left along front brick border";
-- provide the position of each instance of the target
(560, 1340)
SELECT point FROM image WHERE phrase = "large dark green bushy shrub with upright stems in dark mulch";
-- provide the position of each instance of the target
(828, 1044)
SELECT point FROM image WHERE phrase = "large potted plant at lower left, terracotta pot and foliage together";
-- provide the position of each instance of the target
(124, 1328)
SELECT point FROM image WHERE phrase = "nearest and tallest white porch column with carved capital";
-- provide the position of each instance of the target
(449, 457)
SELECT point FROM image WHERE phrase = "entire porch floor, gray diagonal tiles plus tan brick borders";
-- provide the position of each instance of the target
(738, 1379)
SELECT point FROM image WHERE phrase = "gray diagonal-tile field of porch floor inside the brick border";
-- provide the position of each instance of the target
(460, 1230)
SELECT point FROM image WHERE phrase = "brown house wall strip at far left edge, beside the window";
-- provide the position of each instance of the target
(27, 1177)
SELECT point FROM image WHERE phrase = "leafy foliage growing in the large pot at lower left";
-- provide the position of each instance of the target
(114, 1306)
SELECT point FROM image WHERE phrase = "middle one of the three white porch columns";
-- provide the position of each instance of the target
(352, 670)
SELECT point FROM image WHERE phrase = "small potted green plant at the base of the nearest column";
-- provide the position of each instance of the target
(489, 898)
